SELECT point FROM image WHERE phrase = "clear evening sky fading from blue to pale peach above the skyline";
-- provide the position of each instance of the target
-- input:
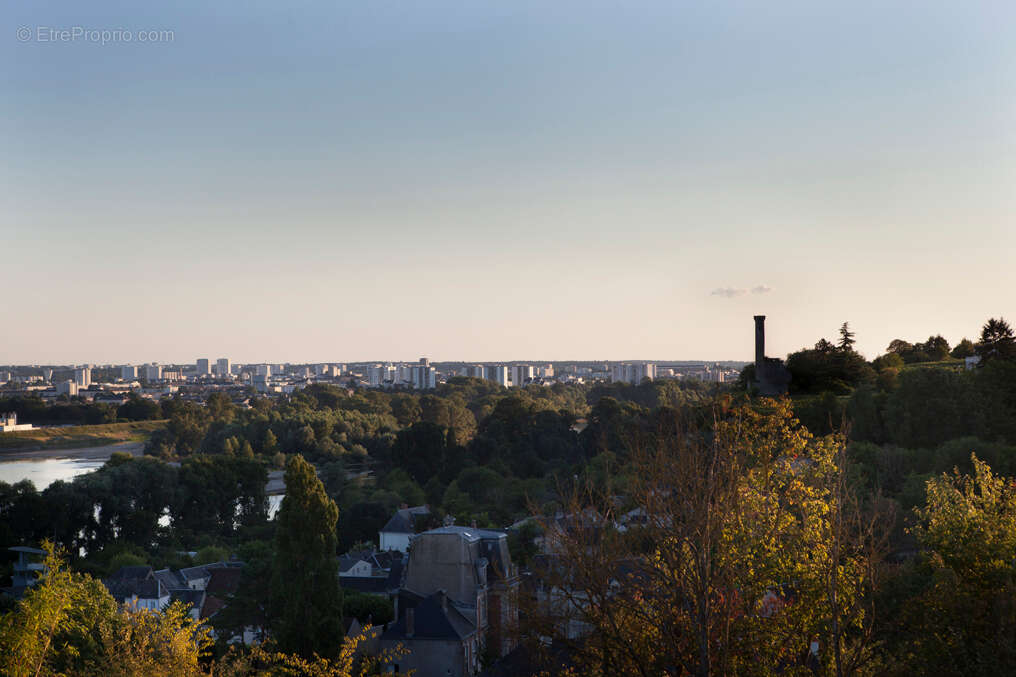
(482, 181)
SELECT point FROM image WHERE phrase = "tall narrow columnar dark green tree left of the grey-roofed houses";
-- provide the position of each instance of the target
(306, 600)
